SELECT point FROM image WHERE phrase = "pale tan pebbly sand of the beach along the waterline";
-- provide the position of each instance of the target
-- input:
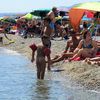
(82, 73)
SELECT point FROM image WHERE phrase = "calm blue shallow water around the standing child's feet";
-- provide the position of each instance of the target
(18, 82)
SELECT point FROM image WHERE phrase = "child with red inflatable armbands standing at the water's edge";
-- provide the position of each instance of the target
(42, 52)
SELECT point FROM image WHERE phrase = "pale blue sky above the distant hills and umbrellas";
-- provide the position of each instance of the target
(7, 6)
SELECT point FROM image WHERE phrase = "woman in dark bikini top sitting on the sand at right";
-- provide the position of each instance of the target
(87, 47)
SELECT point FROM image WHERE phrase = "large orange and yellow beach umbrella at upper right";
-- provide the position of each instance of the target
(77, 12)
